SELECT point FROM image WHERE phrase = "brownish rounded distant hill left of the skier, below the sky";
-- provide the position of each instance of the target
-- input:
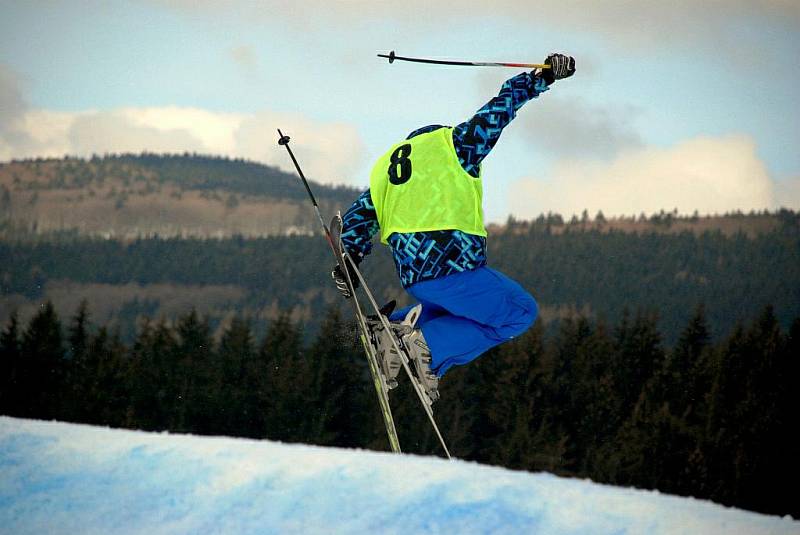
(167, 195)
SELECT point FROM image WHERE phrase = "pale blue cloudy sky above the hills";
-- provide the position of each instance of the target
(685, 104)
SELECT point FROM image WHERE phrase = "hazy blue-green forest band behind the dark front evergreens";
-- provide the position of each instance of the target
(600, 272)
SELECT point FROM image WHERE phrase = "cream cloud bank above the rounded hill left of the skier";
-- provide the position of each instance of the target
(329, 152)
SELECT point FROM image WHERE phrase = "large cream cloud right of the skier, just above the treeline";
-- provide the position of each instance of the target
(710, 175)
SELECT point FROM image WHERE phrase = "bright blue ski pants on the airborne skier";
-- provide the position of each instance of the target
(467, 313)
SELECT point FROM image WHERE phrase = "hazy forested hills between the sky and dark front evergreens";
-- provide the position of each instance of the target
(107, 230)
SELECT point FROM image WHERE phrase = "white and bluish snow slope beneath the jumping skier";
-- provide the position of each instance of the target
(62, 478)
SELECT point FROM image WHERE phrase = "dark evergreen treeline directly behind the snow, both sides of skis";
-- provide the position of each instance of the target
(710, 419)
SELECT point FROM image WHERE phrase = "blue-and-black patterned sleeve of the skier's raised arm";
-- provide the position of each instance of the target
(475, 138)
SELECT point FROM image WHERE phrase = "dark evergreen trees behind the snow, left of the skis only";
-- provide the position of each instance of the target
(177, 378)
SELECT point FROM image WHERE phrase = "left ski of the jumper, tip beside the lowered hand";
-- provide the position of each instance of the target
(381, 386)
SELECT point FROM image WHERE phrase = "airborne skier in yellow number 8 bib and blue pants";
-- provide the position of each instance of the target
(425, 197)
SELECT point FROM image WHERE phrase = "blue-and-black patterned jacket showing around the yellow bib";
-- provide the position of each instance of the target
(420, 256)
